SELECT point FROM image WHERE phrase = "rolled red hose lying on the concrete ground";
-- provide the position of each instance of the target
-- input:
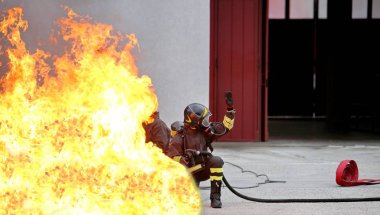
(347, 174)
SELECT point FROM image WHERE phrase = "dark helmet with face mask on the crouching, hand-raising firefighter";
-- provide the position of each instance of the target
(196, 116)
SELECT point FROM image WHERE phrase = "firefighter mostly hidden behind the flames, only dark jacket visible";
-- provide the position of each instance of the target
(157, 132)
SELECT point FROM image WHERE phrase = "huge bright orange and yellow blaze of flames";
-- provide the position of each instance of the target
(71, 140)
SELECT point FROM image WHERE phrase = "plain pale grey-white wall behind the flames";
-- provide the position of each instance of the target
(173, 35)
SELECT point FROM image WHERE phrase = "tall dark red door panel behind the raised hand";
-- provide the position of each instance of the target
(237, 63)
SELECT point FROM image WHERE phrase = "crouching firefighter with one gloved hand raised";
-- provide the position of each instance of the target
(191, 145)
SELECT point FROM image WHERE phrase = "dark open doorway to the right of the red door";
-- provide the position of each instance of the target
(323, 70)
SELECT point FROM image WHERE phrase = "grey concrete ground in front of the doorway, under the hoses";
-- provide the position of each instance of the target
(308, 164)
